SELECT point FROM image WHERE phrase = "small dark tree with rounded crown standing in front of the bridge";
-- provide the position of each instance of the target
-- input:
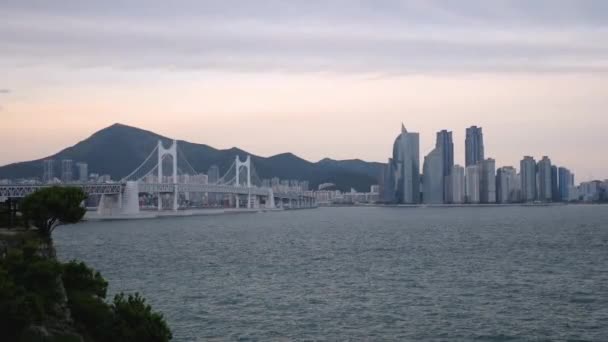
(49, 207)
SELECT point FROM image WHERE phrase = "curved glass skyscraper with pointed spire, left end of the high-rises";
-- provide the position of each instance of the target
(403, 170)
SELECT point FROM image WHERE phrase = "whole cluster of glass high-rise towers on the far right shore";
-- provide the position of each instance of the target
(478, 182)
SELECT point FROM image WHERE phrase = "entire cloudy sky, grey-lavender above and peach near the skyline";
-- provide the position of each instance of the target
(316, 78)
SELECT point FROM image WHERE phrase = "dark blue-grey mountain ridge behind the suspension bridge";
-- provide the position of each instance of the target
(119, 149)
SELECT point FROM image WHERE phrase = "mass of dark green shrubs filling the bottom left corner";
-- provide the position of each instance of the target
(30, 293)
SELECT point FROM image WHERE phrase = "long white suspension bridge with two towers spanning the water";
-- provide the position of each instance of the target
(166, 181)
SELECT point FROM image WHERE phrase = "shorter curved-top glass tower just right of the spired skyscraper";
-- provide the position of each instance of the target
(433, 177)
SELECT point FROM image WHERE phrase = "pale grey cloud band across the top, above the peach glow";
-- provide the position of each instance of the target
(329, 36)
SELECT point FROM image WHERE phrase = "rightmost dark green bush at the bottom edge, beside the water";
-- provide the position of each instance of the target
(135, 321)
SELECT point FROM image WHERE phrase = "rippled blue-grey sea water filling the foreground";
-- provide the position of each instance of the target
(363, 274)
